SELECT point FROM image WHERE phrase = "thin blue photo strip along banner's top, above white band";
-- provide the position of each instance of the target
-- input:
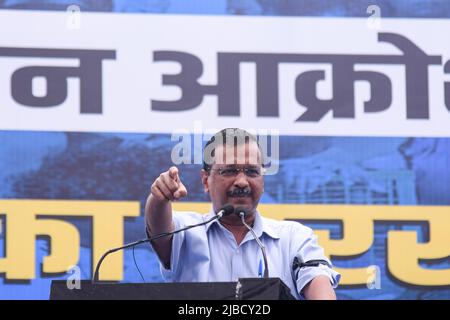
(305, 8)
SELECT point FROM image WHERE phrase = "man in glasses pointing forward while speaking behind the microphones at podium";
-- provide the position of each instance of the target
(224, 249)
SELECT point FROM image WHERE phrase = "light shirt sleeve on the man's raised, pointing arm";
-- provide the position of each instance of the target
(177, 243)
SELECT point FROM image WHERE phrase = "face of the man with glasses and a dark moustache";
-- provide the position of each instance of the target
(235, 177)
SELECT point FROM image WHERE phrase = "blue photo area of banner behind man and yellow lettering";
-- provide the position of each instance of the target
(313, 170)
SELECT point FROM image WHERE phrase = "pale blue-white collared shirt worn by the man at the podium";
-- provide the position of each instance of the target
(210, 253)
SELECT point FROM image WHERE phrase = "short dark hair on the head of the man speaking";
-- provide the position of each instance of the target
(232, 136)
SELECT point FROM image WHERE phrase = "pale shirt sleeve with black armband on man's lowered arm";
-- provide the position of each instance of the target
(306, 248)
